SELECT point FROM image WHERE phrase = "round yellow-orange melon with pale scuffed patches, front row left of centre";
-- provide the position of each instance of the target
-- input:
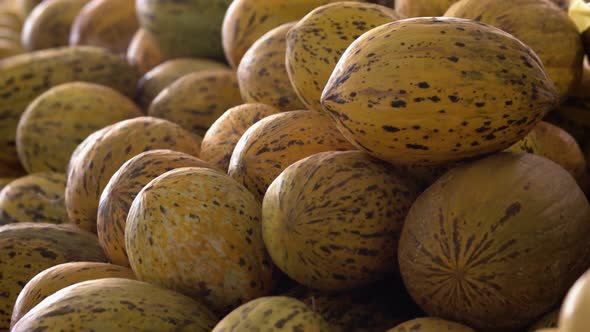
(197, 231)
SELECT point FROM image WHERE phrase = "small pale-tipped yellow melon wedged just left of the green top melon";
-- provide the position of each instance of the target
(143, 52)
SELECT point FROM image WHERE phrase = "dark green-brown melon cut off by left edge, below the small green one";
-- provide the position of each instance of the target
(29, 248)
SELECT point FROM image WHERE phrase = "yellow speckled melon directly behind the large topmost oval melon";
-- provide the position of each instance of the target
(318, 40)
